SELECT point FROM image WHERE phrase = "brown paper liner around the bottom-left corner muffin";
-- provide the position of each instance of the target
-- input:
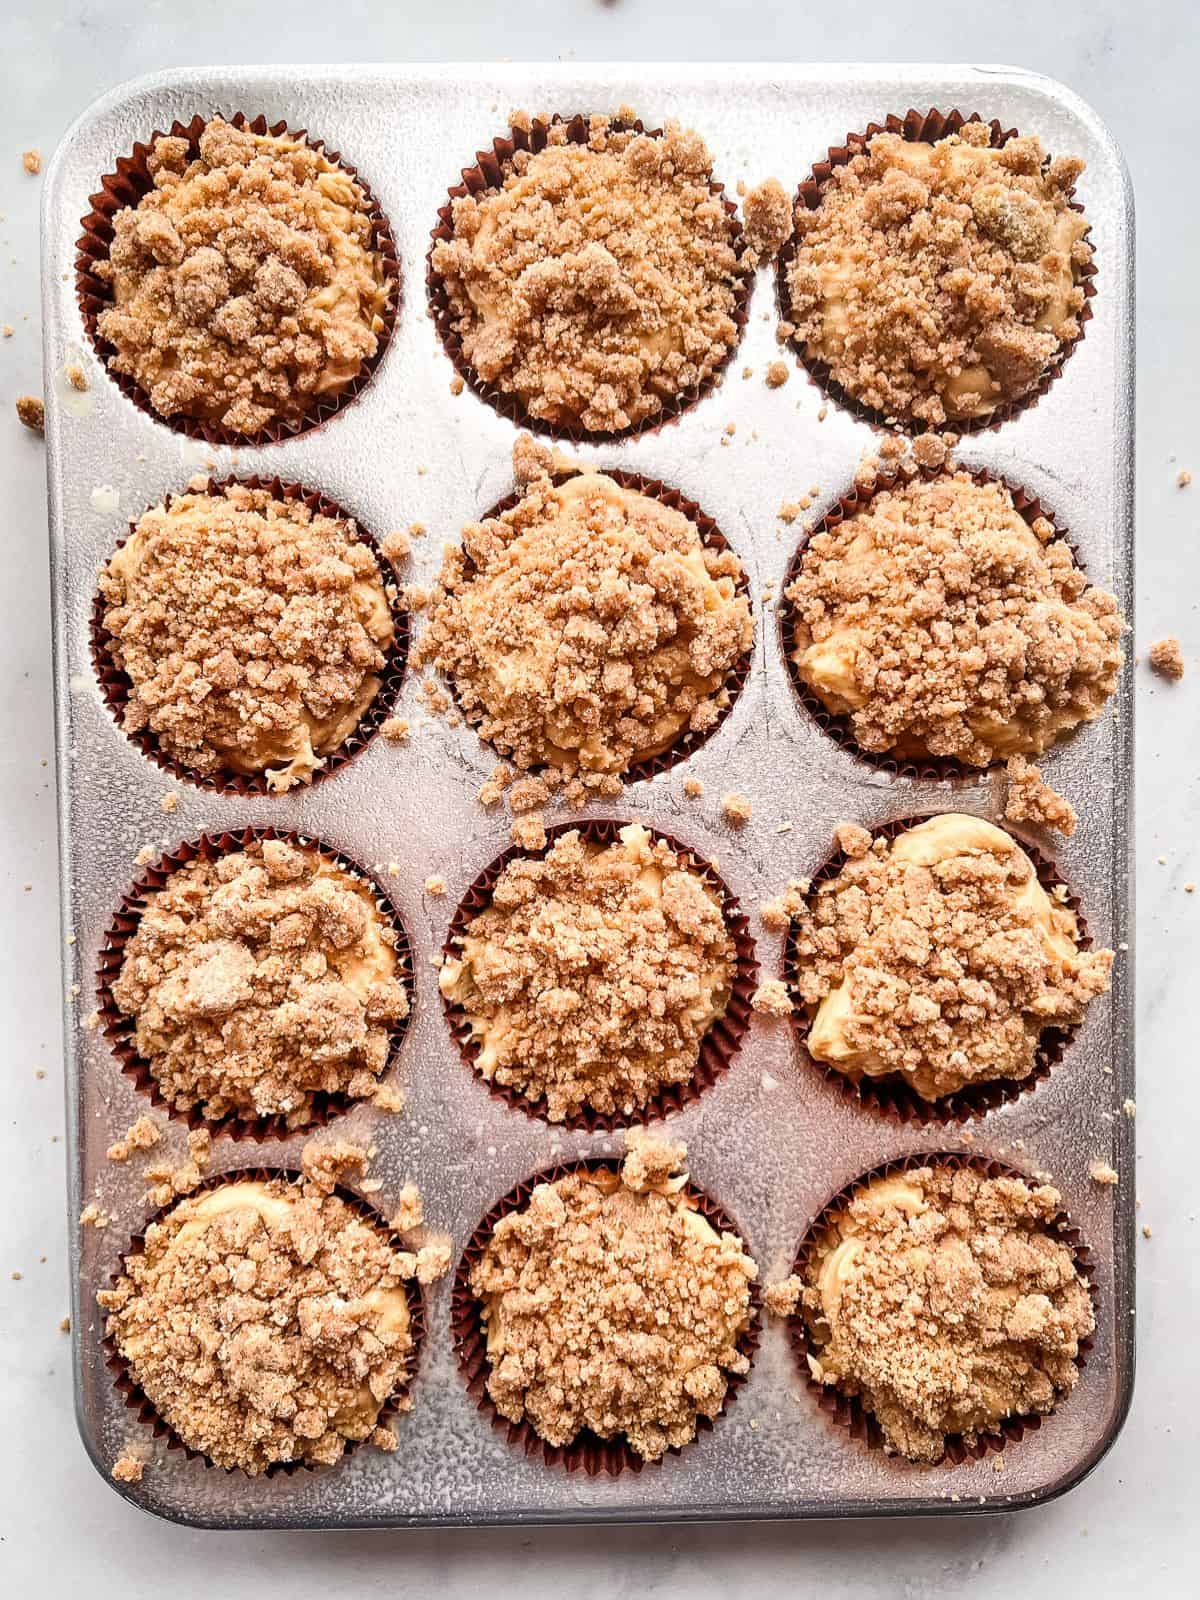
(138, 1401)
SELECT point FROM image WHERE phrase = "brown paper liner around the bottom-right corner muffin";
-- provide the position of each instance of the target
(847, 1412)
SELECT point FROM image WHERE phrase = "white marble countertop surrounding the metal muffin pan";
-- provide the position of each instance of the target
(1130, 1522)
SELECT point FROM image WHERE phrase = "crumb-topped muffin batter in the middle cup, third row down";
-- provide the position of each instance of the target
(594, 974)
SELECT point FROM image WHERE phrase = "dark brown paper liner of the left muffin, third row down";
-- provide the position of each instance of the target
(121, 1033)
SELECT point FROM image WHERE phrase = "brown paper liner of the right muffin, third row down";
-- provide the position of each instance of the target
(894, 1097)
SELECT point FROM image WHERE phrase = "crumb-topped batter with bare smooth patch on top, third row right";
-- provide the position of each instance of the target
(940, 958)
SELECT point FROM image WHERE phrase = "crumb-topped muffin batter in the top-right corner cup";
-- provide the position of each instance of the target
(942, 281)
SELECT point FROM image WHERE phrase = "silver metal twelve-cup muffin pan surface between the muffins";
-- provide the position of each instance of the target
(772, 1138)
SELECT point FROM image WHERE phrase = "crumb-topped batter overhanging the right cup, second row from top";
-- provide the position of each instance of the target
(946, 626)
